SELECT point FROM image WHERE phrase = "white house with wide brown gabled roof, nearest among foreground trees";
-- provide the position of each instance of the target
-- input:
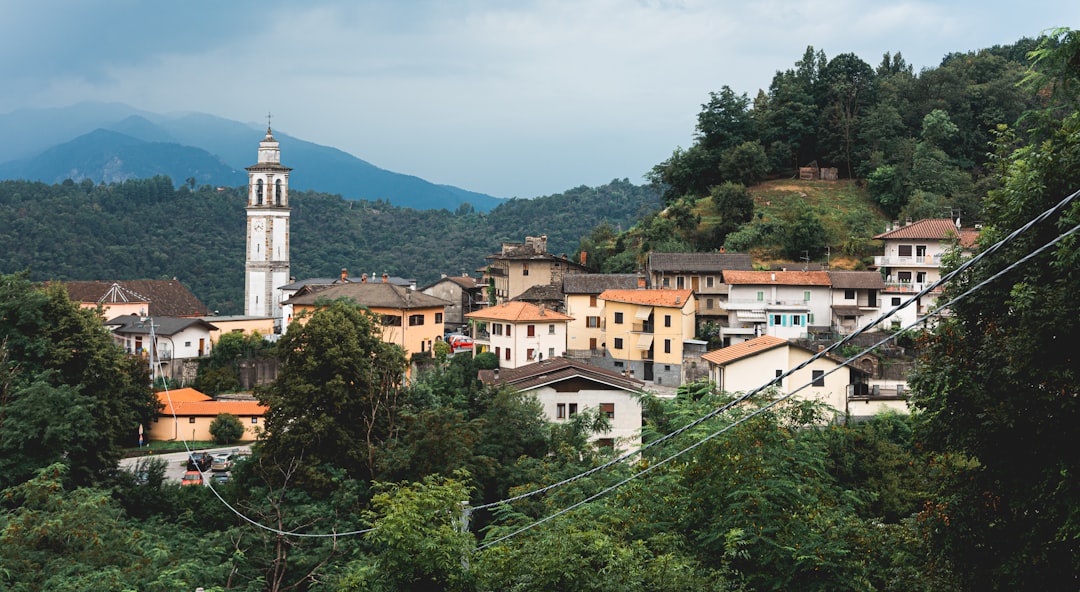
(566, 387)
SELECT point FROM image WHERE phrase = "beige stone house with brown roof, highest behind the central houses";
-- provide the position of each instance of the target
(521, 266)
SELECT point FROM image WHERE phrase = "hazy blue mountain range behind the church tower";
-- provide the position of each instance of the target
(110, 142)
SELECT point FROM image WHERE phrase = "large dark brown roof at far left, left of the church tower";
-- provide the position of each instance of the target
(166, 298)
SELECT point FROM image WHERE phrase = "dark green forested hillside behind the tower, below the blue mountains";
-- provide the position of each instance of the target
(145, 230)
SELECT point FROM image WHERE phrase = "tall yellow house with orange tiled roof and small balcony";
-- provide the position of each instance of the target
(645, 331)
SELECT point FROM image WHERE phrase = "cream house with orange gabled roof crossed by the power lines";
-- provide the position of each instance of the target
(753, 365)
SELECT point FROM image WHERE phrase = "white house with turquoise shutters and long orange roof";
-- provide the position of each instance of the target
(781, 304)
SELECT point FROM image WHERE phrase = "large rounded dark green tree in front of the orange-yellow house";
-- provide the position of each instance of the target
(335, 400)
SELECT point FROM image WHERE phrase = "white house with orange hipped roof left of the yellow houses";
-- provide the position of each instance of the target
(519, 333)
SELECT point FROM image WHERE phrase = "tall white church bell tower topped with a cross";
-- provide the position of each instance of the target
(267, 268)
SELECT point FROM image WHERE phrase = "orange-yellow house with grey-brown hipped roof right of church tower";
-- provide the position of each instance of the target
(411, 319)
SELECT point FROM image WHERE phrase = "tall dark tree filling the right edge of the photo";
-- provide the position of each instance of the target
(998, 380)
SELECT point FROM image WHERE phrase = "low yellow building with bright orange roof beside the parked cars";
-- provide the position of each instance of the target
(188, 414)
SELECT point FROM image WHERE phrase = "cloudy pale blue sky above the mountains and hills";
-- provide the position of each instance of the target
(511, 98)
